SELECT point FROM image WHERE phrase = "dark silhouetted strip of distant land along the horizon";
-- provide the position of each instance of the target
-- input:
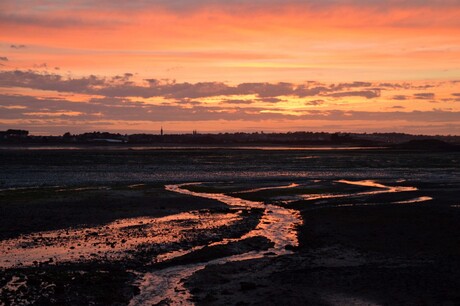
(397, 140)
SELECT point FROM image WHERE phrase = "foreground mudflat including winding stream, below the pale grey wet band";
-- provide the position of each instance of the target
(339, 241)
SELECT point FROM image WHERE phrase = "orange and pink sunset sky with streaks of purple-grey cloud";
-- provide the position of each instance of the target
(227, 66)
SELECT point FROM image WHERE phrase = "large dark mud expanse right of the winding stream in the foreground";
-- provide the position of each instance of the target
(385, 254)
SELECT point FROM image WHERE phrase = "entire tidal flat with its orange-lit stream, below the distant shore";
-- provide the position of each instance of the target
(229, 226)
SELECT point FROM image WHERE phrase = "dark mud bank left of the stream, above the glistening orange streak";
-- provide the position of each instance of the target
(29, 210)
